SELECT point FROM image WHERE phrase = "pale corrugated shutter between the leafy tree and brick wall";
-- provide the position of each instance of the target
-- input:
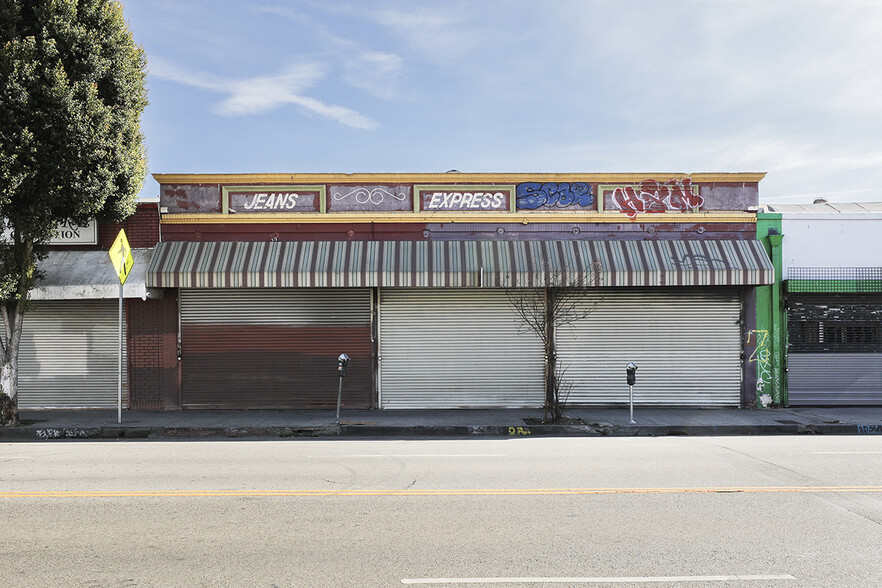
(70, 355)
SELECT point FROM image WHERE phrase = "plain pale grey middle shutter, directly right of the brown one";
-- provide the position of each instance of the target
(459, 348)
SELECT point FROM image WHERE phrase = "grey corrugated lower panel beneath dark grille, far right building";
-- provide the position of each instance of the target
(834, 379)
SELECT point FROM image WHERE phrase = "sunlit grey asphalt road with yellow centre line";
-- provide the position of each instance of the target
(721, 511)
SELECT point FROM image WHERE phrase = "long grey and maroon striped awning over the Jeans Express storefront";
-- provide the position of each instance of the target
(472, 264)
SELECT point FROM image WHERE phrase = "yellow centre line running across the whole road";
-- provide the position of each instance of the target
(437, 492)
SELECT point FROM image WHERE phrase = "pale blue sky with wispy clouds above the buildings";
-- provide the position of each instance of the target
(788, 87)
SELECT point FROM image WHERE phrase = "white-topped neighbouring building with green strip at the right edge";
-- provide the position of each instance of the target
(832, 278)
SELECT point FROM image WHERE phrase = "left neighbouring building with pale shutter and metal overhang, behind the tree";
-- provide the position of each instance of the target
(69, 355)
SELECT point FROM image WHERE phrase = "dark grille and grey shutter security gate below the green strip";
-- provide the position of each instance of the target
(834, 350)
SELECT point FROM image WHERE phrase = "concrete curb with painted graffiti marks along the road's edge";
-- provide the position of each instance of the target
(426, 431)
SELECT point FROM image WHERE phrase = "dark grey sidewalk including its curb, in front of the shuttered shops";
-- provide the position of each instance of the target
(230, 424)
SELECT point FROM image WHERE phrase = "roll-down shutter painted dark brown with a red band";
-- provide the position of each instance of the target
(275, 347)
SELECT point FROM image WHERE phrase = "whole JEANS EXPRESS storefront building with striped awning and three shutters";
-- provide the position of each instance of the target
(414, 276)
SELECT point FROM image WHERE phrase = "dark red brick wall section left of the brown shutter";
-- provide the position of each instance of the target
(152, 353)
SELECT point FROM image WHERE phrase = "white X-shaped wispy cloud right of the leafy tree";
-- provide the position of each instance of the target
(263, 94)
